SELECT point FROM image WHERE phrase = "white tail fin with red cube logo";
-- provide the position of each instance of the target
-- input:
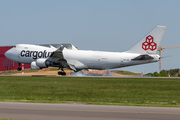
(149, 44)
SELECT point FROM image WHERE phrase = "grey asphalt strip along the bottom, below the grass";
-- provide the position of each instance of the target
(41, 111)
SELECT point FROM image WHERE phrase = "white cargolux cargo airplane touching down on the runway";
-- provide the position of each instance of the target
(68, 56)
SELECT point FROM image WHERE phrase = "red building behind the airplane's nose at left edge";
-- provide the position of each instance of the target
(6, 64)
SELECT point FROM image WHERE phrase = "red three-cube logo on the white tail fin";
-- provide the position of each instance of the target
(149, 44)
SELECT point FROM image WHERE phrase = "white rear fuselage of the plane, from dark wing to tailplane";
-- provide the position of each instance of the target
(100, 60)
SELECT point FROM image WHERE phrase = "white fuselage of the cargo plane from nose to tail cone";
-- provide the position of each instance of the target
(81, 59)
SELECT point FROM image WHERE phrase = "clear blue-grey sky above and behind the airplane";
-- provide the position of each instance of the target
(103, 25)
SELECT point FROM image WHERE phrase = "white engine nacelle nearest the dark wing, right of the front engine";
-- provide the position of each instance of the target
(43, 63)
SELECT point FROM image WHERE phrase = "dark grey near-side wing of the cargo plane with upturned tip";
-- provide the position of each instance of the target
(58, 58)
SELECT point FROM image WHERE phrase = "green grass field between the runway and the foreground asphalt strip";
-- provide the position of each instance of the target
(106, 91)
